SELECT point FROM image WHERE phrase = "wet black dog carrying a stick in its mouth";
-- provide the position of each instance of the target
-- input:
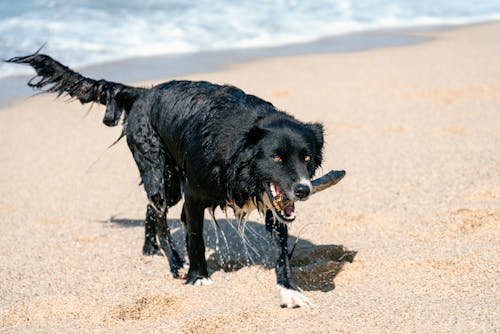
(217, 146)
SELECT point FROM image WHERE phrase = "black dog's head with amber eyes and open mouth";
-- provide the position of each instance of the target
(288, 153)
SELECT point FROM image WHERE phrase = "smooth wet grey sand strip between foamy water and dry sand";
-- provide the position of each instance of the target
(154, 68)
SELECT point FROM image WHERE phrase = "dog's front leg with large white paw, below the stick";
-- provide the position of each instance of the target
(290, 295)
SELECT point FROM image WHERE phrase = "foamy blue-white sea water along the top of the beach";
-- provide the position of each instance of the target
(89, 32)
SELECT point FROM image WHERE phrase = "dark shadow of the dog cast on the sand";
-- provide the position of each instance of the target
(231, 247)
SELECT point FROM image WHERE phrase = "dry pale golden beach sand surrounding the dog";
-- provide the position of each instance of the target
(416, 128)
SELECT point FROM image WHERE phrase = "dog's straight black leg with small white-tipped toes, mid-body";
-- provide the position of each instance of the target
(192, 215)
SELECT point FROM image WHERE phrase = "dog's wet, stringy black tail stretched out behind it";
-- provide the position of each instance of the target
(54, 77)
